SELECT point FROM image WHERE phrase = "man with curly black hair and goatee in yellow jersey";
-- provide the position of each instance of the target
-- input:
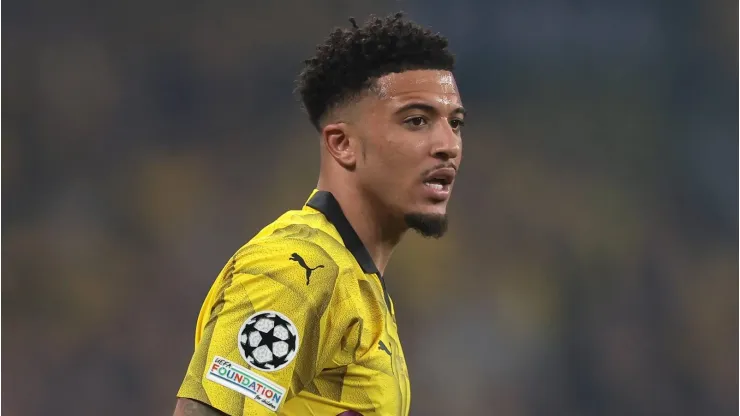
(299, 321)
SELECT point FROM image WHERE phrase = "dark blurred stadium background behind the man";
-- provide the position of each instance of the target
(591, 267)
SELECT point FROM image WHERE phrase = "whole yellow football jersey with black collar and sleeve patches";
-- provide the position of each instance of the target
(299, 323)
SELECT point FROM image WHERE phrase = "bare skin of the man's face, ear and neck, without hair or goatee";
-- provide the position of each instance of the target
(376, 154)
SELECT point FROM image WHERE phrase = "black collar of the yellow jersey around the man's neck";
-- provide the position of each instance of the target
(325, 202)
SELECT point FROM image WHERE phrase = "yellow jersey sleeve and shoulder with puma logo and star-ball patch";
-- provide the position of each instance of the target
(268, 330)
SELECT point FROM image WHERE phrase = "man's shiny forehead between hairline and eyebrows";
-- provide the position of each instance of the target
(420, 83)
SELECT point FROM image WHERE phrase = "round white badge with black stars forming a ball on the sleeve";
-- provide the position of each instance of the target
(268, 341)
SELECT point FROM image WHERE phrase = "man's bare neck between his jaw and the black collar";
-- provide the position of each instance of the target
(378, 231)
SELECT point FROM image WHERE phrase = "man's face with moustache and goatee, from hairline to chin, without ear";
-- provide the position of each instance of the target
(409, 130)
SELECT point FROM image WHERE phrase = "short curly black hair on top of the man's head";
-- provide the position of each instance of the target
(351, 60)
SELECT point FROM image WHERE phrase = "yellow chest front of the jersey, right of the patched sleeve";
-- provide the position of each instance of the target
(368, 373)
